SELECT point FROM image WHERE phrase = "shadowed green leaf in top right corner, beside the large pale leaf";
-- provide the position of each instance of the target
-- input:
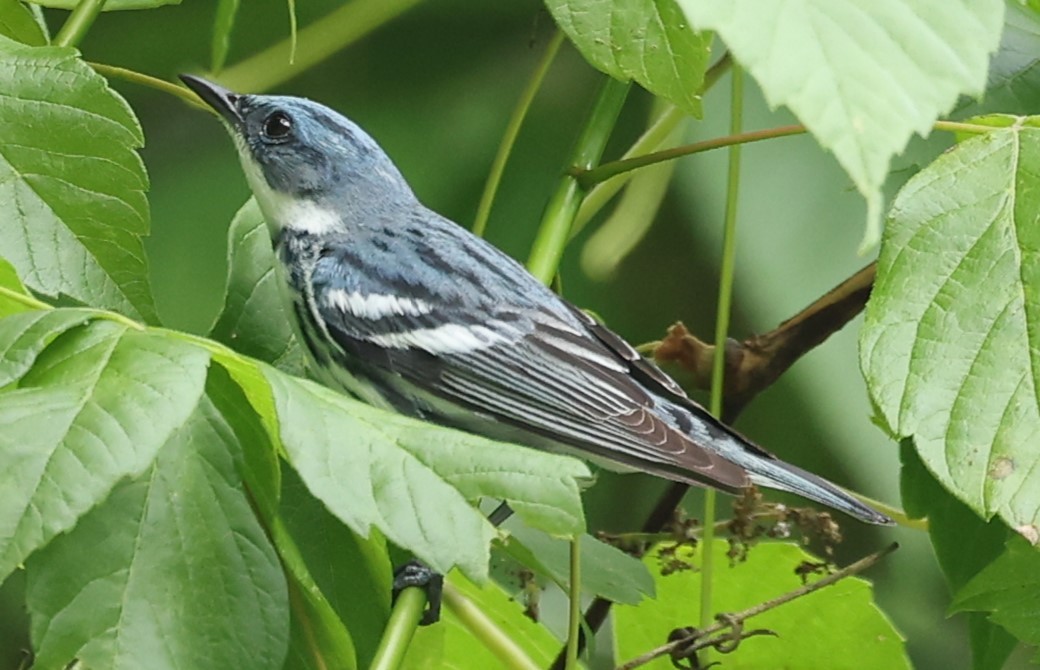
(1013, 86)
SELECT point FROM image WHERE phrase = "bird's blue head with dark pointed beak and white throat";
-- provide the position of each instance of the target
(309, 167)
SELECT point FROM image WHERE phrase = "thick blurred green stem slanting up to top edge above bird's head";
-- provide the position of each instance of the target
(317, 42)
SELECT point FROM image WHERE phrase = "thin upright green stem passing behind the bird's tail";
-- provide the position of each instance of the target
(726, 274)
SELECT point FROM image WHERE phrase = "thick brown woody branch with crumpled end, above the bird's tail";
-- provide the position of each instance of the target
(759, 362)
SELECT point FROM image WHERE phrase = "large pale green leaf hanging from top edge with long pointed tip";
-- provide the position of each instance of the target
(862, 76)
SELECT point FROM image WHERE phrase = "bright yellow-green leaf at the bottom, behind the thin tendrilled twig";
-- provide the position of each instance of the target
(839, 625)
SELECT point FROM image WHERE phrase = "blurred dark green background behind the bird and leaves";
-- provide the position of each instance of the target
(436, 88)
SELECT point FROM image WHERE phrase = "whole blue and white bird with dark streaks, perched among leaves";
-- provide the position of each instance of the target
(408, 311)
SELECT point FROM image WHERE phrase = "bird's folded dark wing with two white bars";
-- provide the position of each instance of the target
(539, 371)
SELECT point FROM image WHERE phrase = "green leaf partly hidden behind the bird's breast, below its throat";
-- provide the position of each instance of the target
(255, 321)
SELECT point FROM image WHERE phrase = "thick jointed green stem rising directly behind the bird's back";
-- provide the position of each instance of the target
(555, 233)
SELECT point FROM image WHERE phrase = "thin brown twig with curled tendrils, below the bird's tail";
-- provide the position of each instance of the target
(686, 646)
